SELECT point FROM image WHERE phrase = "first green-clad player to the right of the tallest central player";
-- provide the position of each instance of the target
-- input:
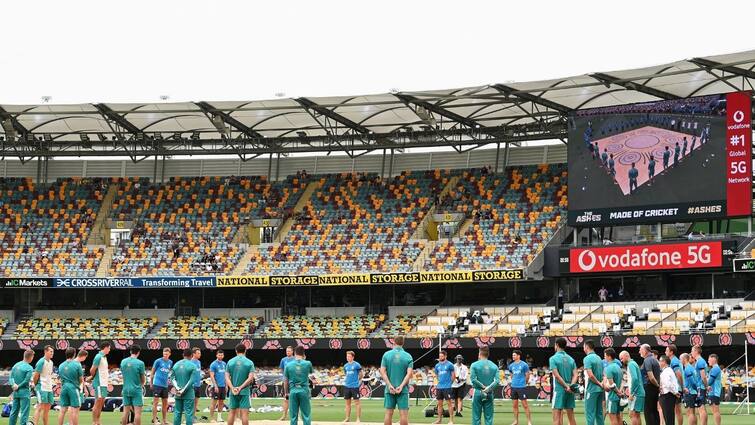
(485, 379)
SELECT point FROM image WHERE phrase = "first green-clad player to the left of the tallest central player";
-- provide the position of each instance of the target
(297, 386)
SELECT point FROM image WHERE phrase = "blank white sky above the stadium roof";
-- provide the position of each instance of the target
(138, 51)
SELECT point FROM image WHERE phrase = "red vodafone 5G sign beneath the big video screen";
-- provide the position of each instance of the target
(646, 257)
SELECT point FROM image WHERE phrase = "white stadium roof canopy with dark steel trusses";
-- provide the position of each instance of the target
(464, 118)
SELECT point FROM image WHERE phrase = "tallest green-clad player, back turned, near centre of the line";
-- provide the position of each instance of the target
(396, 370)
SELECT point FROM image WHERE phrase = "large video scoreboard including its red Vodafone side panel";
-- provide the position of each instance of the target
(667, 161)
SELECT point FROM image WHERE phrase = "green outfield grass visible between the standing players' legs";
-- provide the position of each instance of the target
(331, 410)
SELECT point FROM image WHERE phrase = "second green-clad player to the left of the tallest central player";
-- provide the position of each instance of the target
(238, 377)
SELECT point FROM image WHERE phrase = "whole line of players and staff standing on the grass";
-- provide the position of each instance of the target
(657, 388)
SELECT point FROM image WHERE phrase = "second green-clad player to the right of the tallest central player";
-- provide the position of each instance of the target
(564, 370)
